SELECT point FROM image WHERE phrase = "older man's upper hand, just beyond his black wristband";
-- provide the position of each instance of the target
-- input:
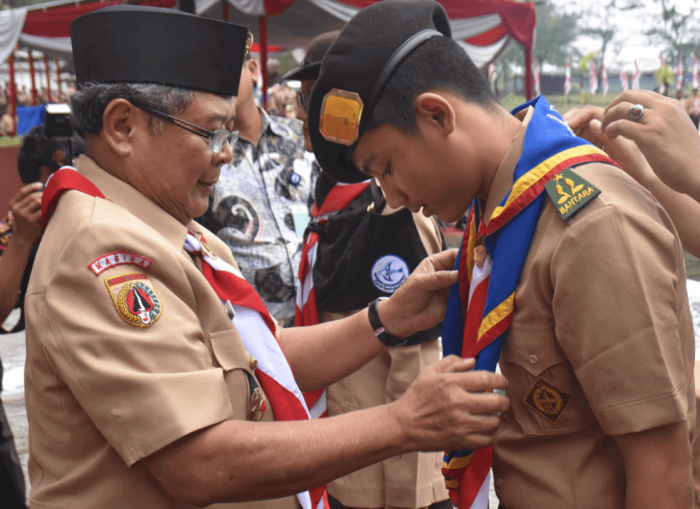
(421, 300)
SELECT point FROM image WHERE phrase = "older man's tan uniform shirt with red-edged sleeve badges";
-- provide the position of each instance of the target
(102, 393)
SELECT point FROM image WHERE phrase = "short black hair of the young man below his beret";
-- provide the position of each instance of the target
(438, 64)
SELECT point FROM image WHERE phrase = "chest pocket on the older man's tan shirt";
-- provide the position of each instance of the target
(231, 356)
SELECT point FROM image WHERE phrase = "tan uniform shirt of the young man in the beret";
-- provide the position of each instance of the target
(601, 344)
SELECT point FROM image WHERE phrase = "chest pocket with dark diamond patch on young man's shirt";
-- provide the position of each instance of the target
(545, 396)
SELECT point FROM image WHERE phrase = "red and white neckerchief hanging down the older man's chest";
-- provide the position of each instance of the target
(257, 331)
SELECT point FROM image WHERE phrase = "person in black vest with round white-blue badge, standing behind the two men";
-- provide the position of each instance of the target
(359, 249)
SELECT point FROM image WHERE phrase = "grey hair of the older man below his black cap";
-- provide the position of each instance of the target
(89, 103)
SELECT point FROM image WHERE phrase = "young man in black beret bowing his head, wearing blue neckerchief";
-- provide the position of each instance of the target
(595, 334)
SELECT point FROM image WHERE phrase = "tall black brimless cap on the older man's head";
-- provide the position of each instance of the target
(132, 44)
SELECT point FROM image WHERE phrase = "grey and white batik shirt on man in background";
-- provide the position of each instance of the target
(260, 207)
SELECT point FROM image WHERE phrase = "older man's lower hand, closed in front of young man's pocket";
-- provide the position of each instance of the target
(451, 407)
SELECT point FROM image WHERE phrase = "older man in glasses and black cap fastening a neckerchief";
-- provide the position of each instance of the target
(148, 355)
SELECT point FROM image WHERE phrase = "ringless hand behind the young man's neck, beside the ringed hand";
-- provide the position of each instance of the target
(586, 123)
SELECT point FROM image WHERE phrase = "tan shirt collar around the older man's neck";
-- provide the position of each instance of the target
(126, 196)
